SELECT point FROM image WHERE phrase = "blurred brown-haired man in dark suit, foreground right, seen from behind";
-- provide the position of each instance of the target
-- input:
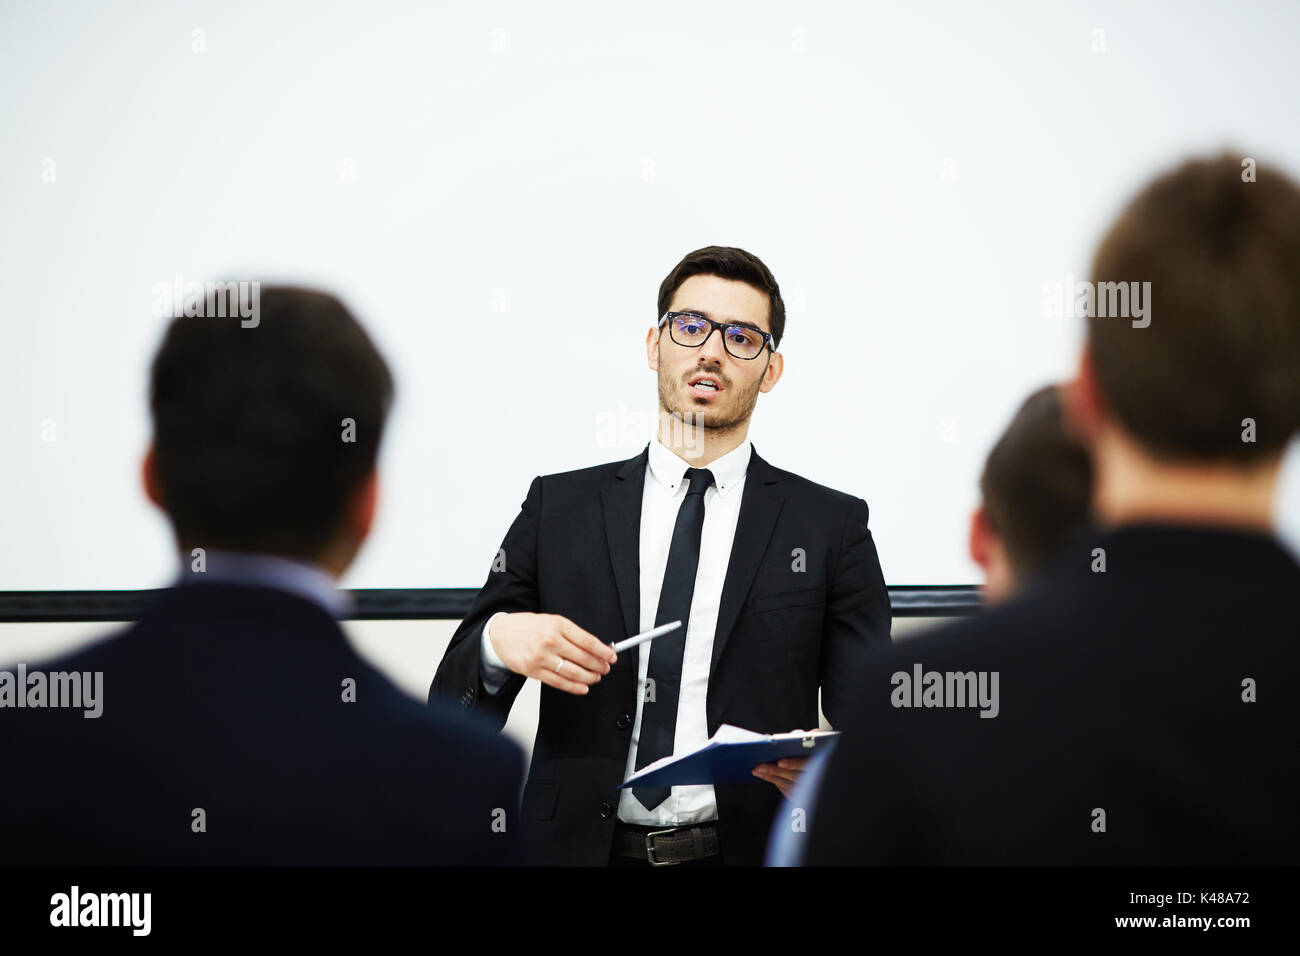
(1136, 704)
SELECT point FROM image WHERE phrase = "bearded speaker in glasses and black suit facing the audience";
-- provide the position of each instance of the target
(774, 578)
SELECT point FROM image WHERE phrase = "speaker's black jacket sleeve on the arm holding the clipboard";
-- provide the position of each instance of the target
(857, 615)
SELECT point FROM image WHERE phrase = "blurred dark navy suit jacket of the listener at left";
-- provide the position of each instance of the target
(231, 700)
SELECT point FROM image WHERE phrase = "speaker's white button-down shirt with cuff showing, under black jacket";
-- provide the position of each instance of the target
(664, 494)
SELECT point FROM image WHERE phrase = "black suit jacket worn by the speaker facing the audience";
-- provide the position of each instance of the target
(575, 551)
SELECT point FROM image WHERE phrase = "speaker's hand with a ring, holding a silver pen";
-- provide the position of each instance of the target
(552, 650)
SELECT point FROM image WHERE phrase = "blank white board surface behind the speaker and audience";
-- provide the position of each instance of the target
(467, 175)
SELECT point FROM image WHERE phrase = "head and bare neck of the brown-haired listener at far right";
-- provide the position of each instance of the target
(1186, 413)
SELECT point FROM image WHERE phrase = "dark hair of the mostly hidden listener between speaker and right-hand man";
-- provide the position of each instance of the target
(1037, 485)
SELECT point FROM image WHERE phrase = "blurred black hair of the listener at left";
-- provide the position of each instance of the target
(249, 423)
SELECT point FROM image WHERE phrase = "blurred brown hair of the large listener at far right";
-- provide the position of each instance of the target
(1224, 345)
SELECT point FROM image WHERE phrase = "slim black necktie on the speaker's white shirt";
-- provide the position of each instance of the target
(660, 716)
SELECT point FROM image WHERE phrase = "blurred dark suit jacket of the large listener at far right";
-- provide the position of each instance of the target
(1120, 691)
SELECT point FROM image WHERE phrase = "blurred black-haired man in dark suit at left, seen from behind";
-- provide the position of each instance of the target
(236, 724)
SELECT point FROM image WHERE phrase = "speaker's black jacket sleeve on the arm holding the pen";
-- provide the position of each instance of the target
(512, 586)
